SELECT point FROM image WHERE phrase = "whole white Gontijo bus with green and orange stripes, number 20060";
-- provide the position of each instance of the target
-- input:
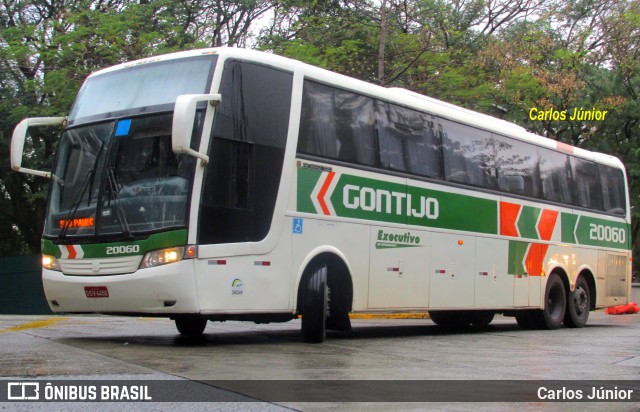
(227, 184)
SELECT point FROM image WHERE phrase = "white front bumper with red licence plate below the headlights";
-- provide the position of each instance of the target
(167, 289)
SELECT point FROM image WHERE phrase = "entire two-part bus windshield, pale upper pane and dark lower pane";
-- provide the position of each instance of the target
(115, 173)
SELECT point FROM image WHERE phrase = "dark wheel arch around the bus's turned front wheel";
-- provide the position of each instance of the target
(339, 277)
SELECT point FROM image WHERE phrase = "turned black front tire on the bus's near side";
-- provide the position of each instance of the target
(315, 305)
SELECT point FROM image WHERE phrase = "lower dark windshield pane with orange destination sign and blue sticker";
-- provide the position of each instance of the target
(119, 177)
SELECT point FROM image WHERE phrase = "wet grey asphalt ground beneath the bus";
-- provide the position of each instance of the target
(118, 348)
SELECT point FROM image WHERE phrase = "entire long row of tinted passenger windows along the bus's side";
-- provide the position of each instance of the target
(345, 126)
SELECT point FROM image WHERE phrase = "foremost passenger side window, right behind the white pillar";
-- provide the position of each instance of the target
(337, 124)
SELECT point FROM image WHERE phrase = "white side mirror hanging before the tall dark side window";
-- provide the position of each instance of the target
(184, 114)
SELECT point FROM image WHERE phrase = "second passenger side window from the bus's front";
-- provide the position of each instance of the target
(408, 140)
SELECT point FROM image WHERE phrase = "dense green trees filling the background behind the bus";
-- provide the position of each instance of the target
(500, 57)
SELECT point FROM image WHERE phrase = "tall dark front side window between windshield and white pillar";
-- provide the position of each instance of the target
(247, 153)
